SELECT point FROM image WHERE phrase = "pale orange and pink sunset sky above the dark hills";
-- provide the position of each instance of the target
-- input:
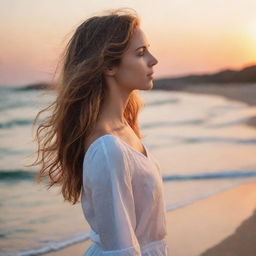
(186, 36)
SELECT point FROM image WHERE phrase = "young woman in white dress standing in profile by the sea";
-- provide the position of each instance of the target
(90, 143)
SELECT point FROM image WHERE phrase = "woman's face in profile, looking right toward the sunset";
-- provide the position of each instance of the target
(136, 64)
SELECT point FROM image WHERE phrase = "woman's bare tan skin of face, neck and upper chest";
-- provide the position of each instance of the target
(131, 74)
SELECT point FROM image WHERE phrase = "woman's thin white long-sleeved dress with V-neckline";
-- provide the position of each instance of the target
(123, 200)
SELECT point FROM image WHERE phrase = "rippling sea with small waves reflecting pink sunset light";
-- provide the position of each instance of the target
(202, 143)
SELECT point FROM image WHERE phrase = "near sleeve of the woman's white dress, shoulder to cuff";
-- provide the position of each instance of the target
(109, 180)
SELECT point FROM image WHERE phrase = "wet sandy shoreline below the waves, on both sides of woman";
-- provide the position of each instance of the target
(218, 225)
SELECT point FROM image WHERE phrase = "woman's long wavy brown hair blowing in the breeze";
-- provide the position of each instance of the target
(98, 42)
